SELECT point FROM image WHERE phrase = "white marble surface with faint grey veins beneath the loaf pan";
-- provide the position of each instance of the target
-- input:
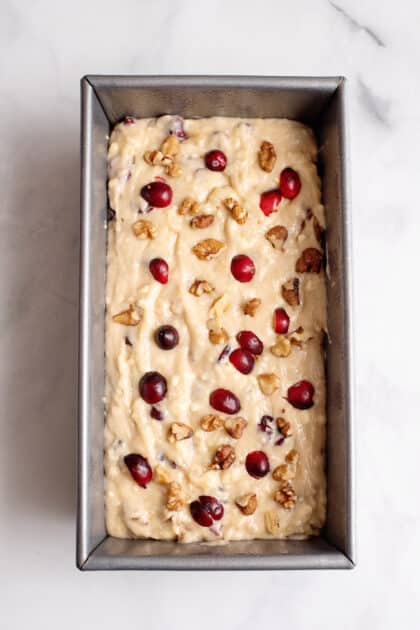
(45, 47)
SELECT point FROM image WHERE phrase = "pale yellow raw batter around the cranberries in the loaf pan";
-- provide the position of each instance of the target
(293, 502)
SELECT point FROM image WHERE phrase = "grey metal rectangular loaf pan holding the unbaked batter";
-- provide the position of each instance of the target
(319, 102)
